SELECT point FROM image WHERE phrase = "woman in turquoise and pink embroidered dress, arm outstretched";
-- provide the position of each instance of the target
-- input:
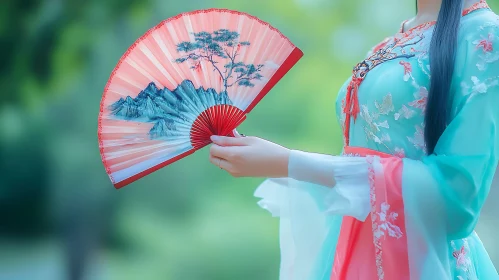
(420, 154)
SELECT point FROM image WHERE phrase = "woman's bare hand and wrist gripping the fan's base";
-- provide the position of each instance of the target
(249, 157)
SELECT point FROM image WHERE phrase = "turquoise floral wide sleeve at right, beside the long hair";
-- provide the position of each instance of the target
(443, 193)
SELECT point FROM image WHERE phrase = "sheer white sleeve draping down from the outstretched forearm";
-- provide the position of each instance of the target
(311, 203)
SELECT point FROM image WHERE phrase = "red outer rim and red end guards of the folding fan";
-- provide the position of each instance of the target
(292, 59)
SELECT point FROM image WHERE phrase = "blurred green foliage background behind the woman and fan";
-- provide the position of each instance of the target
(60, 217)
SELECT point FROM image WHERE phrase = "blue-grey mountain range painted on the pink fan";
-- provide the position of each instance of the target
(167, 108)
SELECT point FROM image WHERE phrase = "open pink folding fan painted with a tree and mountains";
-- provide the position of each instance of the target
(191, 76)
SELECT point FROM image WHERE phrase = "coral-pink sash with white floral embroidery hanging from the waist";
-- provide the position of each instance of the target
(376, 248)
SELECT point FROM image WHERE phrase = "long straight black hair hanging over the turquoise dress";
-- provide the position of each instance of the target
(442, 52)
